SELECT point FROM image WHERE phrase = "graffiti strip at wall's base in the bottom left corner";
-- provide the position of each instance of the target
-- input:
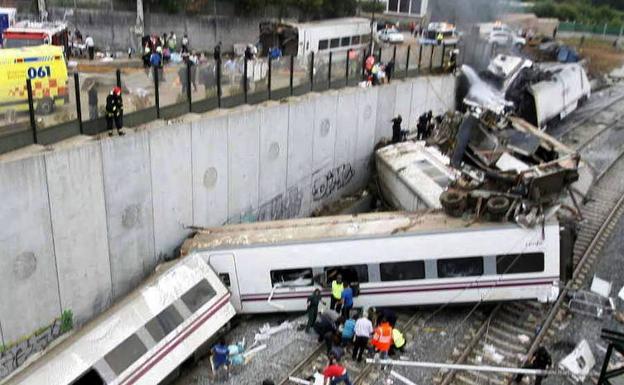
(14, 356)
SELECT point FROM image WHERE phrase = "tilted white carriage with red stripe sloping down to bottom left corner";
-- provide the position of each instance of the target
(142, 339)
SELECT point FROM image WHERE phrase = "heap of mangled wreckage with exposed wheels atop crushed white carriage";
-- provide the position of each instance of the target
(488, 161)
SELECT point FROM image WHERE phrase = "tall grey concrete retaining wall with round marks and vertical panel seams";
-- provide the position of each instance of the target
(83, 224)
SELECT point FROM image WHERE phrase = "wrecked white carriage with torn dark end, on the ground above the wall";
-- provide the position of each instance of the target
(300, 39)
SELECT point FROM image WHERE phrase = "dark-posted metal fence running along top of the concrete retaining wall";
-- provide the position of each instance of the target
(176, 89)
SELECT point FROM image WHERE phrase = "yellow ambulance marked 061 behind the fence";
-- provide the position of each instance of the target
(45, 66)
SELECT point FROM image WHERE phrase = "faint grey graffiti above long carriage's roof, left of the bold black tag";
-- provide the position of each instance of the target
(282, 206)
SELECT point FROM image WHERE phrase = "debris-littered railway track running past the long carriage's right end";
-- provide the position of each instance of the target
(513, 331)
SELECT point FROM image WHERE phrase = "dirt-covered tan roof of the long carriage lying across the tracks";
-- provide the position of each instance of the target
(329, 228)
